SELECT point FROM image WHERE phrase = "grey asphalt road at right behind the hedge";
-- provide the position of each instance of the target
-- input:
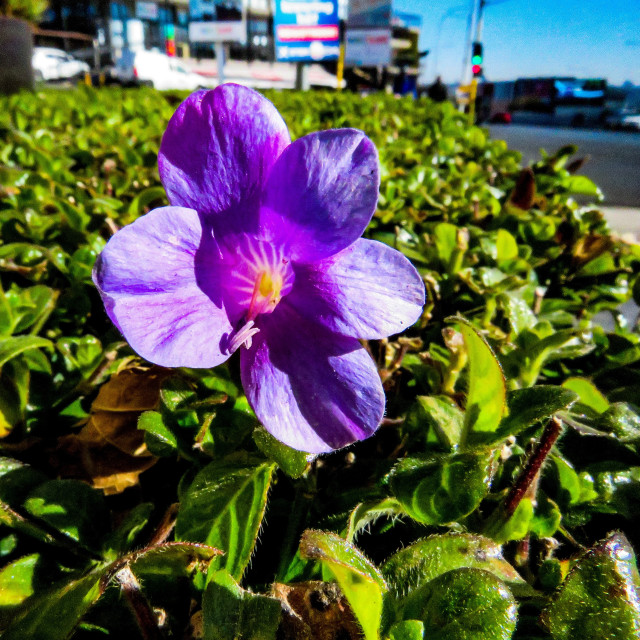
(615, 155)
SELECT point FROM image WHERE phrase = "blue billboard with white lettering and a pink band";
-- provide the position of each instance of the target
(306, 30)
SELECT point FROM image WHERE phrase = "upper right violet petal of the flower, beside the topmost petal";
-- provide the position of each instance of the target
(321, 193)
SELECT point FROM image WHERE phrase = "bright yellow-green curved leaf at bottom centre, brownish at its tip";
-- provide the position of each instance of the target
(360, 581)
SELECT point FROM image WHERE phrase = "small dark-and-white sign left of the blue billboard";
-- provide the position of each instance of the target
(216, 21)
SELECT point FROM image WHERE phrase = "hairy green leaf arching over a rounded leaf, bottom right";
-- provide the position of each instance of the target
(425, 560)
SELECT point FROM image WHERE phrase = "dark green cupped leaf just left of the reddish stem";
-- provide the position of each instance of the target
(442, 489)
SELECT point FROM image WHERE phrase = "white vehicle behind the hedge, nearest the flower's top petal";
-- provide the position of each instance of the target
(156, 69)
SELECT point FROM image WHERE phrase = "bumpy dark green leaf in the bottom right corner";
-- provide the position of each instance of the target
(600, 598)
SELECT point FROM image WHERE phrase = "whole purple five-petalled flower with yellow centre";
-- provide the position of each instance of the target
(260, 251)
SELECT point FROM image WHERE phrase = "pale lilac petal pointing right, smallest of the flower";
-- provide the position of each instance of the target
(368, 290)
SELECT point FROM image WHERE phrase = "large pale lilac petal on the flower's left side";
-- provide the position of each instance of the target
(155, 280)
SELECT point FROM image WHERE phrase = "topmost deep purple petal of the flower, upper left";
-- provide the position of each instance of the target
(218, 150)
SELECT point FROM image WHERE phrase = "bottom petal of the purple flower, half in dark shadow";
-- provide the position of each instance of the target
(313, 390)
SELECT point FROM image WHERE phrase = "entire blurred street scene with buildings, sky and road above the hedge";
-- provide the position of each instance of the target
(531, 71)
